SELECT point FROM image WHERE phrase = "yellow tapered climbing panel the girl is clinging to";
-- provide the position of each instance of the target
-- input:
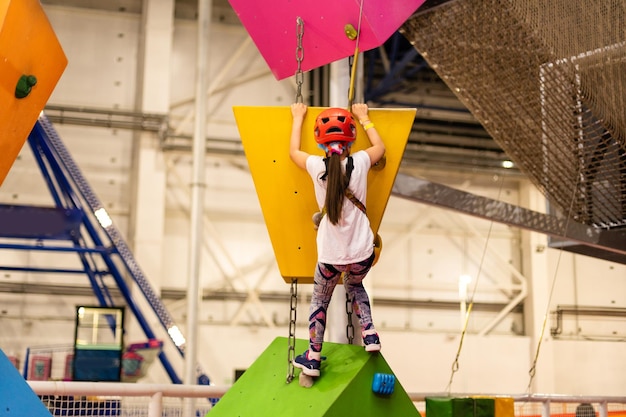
(285, 191)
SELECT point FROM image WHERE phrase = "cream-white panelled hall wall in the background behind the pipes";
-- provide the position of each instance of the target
(425, 250)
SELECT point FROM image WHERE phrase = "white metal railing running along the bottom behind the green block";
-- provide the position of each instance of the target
(158, 400)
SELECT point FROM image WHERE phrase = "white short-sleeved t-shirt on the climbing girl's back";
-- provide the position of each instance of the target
(351, 239)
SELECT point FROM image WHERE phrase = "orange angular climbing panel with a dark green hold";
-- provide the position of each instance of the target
(31, 63)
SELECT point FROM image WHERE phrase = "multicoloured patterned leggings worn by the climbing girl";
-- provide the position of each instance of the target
(325, 279)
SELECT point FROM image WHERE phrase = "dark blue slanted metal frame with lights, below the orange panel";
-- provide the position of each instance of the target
(76, 204)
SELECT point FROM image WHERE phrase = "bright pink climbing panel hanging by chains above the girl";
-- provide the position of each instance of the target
(272, 27)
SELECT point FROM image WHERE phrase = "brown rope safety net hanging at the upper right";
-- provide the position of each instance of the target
(547, 80)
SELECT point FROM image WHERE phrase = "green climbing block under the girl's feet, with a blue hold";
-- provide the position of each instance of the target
(343, 389)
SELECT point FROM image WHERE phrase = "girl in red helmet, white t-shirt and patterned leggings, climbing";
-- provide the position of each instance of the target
(344, 236)
